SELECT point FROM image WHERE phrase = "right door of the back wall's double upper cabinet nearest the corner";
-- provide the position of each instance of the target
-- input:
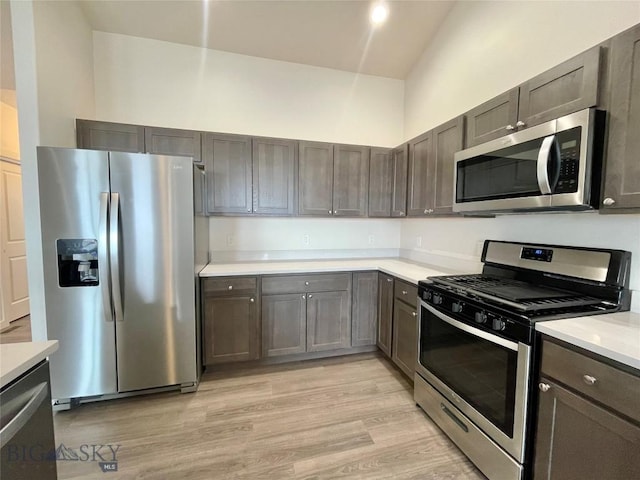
(350, 180)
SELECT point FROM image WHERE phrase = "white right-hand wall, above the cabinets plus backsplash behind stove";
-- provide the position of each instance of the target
(483, 49)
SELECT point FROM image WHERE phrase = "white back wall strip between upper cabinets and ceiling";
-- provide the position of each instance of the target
(159, 83)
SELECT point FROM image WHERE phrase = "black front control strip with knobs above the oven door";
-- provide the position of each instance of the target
(477, 314)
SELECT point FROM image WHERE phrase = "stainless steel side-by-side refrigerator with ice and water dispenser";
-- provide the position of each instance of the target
(123, 242)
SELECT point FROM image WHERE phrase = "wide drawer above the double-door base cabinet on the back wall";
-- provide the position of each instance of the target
(306, 283)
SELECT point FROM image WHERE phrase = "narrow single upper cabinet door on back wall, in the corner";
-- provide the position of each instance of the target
(380, 182)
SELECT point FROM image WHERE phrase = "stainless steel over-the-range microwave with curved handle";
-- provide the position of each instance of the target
(552, 166)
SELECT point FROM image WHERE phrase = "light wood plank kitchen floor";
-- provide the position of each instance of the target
(348, 417)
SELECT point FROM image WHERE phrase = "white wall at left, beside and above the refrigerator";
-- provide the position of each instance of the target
(54, 85)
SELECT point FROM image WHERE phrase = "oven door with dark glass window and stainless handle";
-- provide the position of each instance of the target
(485, 376)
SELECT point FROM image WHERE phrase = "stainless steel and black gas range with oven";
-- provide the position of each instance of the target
(477, 343)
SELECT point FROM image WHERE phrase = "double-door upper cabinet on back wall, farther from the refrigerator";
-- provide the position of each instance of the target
(333, 179)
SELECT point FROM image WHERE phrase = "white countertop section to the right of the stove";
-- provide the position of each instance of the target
(615, 335)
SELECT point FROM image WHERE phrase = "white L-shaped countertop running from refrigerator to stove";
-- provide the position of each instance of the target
(403, 269)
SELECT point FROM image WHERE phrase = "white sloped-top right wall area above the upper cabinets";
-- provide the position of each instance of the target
(485, 48)
